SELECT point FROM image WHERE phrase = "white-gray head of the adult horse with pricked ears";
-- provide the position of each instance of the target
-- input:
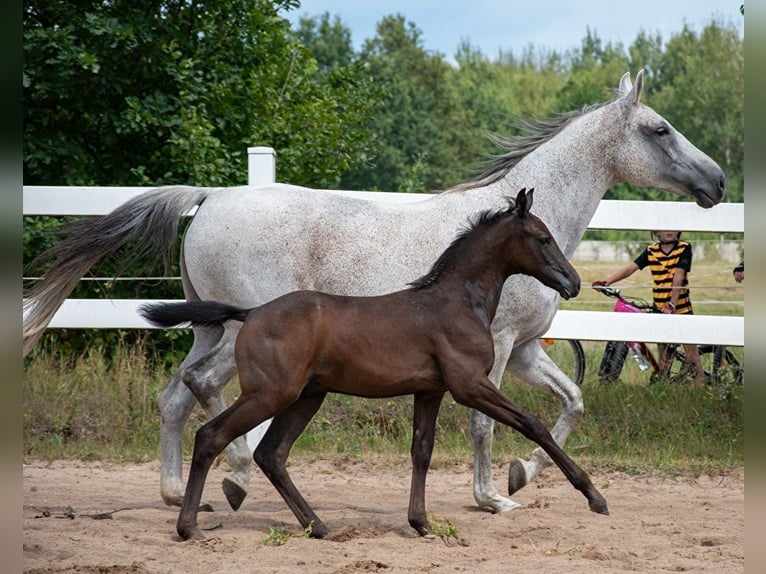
(654, 154)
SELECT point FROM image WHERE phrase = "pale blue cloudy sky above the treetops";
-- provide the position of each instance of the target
(512, 25)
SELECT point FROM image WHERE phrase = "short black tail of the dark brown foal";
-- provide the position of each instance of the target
(198, 313)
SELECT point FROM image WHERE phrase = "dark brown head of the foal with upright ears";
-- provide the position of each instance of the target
(536, 253)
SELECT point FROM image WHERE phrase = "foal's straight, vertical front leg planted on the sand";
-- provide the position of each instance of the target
(423, 431)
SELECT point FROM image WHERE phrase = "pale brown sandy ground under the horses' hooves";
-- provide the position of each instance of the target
(108, 519)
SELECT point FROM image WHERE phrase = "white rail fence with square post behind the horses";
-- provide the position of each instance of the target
(585, 325)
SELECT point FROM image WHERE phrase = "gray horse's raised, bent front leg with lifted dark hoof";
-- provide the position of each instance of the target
(530, 363)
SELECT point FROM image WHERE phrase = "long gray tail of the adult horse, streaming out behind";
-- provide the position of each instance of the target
(150, 219)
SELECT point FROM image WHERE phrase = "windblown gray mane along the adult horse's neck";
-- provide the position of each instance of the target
(515, 148)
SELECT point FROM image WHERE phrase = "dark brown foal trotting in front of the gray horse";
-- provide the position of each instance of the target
(431, 338)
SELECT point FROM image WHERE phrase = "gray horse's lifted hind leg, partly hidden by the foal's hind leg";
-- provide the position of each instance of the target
(206, 378)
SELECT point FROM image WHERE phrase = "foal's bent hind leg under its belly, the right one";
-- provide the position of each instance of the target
(271, 455)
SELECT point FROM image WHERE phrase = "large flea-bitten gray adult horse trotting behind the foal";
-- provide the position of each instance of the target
(246, 246)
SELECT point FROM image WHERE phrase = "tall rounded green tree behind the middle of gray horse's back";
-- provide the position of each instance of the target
(417, 123)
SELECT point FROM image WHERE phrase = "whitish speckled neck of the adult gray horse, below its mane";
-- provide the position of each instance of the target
(570, 174)
